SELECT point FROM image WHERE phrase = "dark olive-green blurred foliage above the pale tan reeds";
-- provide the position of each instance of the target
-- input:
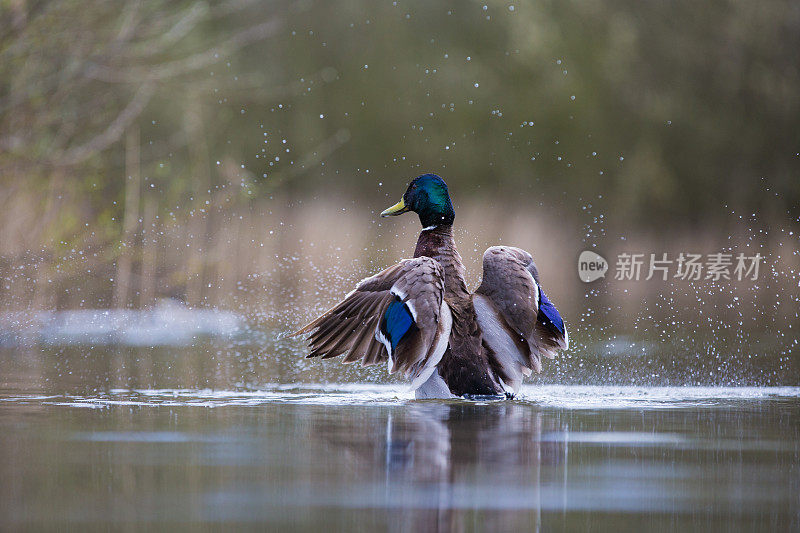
(665, 114)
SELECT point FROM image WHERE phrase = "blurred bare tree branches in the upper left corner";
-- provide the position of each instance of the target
(39, 66)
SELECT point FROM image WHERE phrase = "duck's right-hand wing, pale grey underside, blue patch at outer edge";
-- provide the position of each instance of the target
(519, 323)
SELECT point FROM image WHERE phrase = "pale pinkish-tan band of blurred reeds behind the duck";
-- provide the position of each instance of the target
(274, 257)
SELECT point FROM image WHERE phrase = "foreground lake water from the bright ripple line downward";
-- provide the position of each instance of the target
(364, 457)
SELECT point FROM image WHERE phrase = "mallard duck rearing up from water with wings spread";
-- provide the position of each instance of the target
(419, 317)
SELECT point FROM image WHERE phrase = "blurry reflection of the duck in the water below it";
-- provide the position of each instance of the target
(450, 467)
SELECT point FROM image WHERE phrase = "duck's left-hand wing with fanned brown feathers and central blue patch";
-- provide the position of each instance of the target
(398, 315)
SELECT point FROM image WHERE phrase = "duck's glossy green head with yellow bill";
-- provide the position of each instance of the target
(427, 196)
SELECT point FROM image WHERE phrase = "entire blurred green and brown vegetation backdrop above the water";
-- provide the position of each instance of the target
(236, 154)
